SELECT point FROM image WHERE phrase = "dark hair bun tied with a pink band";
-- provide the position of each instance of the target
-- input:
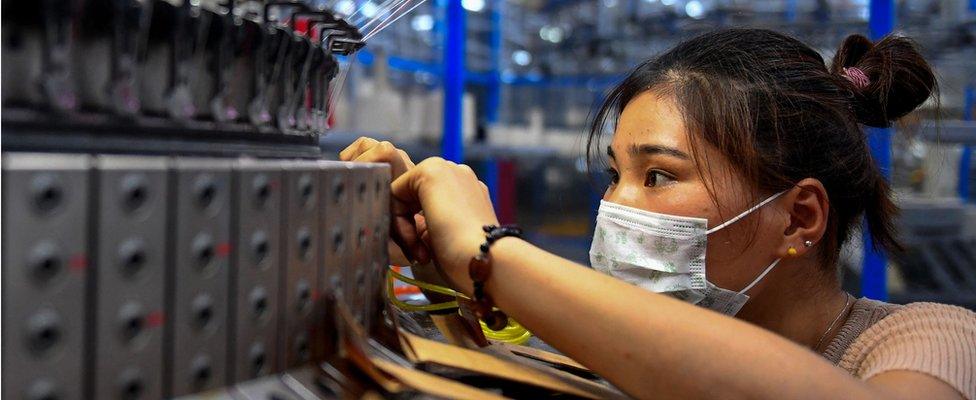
(899, 78)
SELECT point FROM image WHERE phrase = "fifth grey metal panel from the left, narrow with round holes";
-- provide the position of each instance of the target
(300, 240)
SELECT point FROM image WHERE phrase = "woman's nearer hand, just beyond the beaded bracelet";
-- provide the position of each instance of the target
(455, 204)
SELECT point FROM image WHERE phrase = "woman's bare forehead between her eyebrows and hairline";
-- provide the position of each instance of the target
(650, 118)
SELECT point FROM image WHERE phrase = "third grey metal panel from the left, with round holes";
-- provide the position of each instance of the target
(198, 277)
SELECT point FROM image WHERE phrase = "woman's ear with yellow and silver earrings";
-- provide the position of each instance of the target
(808, 209)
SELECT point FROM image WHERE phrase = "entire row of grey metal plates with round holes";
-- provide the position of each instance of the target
(130, 277)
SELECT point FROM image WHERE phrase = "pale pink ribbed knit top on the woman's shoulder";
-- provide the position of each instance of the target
(935, 339)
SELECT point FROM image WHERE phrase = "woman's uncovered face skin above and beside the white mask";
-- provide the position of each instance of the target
(653, 168)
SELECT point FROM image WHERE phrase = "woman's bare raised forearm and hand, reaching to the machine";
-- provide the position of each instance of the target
(647, 344)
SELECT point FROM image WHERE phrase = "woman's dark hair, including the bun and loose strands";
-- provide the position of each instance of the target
(769, 103)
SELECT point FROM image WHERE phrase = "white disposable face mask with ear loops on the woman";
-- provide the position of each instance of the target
(664, 254)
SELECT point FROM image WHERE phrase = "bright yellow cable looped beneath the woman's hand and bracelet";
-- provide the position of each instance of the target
(513, 332)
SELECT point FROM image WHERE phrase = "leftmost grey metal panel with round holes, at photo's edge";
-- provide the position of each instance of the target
(45, 260)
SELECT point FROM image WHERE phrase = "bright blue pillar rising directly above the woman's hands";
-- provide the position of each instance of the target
(452, 142)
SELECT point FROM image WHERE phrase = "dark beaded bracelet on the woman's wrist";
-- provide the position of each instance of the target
(479, 269)
